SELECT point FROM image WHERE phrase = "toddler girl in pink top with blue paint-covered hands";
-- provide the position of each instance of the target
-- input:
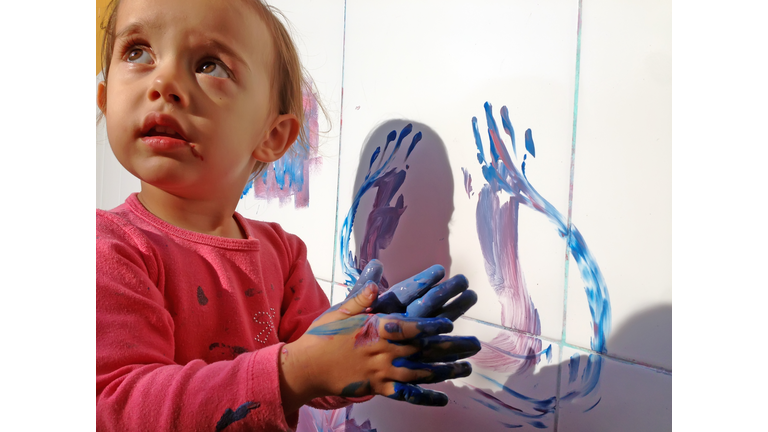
(207, 320)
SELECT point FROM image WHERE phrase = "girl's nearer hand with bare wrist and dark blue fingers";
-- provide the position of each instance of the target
(347, 352)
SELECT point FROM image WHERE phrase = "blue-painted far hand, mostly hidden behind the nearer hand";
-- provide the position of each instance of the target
(418, 297)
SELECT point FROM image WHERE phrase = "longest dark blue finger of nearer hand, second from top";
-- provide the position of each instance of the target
(441, 349)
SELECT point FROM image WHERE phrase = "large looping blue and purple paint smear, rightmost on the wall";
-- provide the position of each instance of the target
(498, 235)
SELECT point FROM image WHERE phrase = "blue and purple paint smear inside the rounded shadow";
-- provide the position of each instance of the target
(384, 217)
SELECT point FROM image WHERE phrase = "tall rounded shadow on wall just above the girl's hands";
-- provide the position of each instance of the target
(410, 235)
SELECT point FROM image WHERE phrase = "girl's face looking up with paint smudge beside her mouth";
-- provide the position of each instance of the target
(188, 101)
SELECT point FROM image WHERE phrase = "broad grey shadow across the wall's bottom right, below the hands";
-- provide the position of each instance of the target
(628, 398)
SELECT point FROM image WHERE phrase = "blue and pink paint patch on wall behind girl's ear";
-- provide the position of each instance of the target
(288, 177)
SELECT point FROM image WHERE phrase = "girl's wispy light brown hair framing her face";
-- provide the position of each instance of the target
(289, 79)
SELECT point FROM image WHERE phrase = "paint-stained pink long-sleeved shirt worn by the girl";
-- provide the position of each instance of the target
(189, 326)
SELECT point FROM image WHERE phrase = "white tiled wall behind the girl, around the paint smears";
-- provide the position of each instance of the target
(592, 80)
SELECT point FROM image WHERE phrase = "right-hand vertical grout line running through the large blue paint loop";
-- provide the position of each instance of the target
(570, 213)
